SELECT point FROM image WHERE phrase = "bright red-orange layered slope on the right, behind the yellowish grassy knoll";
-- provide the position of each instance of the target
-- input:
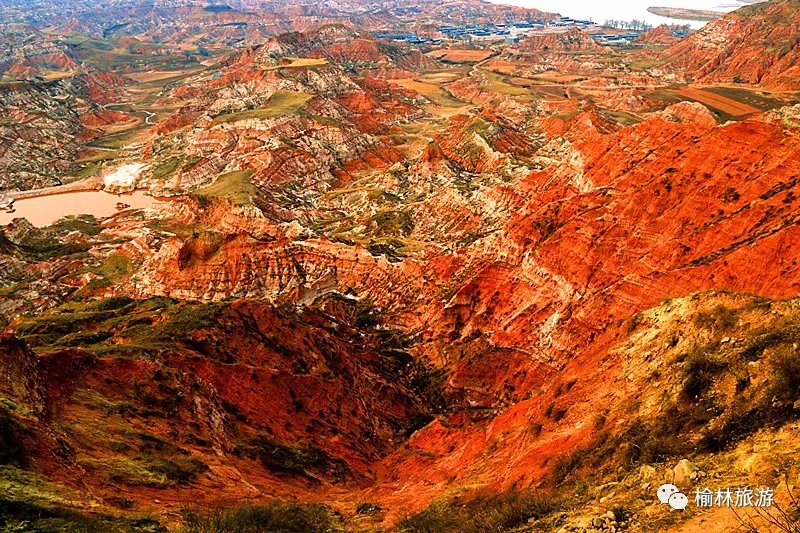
(647, 220)
